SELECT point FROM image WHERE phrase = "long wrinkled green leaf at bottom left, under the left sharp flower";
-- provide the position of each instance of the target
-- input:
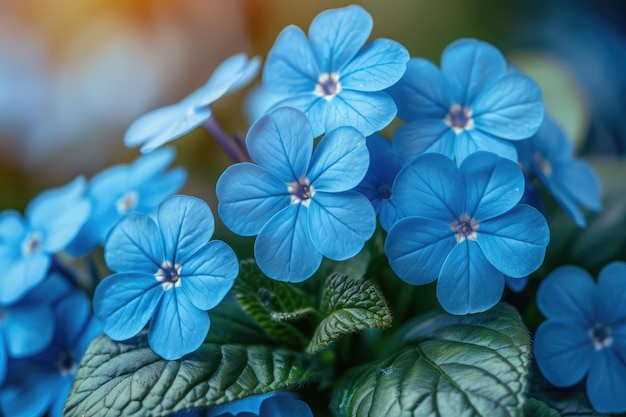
(129, 379)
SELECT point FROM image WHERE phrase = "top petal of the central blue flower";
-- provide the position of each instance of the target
(281, 143)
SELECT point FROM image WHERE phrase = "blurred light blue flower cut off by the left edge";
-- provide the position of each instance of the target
(27, 243)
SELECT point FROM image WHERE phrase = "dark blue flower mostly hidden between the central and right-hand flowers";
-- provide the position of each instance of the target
(378, 182)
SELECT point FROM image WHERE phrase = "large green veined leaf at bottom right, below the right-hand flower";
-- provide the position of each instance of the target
(447, 366)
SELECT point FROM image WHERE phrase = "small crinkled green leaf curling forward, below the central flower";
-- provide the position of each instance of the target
(348, 306)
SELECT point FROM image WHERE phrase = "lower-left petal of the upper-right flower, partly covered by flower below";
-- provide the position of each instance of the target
(421, 136)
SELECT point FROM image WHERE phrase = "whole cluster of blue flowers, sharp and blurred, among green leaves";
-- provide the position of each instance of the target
(450, 191)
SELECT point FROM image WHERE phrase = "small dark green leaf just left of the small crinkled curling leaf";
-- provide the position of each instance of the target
(272, 304)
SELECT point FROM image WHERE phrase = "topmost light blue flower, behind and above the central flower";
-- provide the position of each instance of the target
(334, 77)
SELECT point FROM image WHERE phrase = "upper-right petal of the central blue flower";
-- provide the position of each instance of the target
(340, 161)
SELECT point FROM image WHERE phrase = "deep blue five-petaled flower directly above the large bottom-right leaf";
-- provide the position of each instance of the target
(464, 227)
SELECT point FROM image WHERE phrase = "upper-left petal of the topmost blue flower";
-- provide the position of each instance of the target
(290, 67)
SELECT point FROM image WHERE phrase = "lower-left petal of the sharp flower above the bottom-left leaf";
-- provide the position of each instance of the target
(125, 302)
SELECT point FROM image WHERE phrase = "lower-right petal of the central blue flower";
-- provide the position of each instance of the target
(340, 224)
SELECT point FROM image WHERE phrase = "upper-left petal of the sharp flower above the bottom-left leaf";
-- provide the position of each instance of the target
(135, 245)
